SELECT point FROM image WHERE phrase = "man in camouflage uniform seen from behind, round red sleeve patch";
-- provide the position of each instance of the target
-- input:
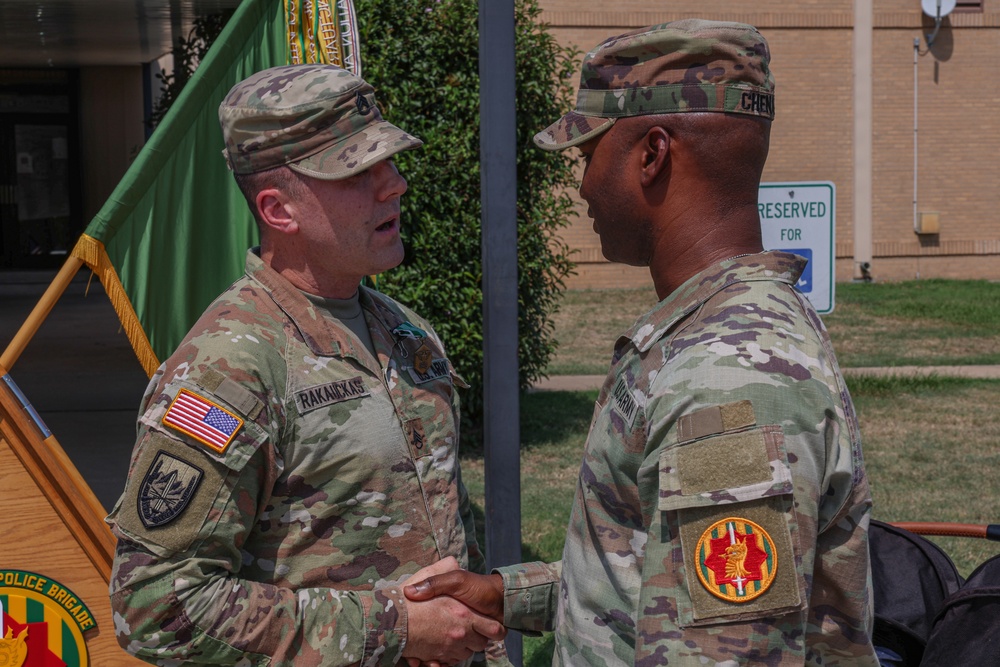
(722, 506)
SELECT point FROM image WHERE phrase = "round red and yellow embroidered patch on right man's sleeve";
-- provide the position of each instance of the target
(736, 560)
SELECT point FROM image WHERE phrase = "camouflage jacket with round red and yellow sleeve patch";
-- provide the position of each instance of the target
(722, 506)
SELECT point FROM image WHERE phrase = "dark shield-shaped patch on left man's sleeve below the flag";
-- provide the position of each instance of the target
(167, 488)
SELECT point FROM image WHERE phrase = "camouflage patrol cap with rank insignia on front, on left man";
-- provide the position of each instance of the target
(320, 120)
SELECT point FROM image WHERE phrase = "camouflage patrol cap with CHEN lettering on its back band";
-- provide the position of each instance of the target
(683, 66)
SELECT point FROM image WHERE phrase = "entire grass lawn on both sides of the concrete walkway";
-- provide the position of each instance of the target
(932, 445)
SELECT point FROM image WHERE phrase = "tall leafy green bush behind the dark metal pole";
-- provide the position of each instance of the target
(422, 58)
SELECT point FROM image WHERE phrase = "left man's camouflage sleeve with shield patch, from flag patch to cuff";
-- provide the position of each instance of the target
(176, 588)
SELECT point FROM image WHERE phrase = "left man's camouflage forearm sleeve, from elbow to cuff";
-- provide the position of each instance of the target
(190, 611)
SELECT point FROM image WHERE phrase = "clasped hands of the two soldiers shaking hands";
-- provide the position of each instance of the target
(451, 614)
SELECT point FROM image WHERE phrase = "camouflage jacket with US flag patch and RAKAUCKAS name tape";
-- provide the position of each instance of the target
(284, 480)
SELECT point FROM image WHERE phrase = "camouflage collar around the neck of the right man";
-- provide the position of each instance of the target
(768, 266)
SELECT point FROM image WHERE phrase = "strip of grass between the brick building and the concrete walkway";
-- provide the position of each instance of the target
(919, 323)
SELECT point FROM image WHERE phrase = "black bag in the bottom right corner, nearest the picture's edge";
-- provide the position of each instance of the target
(966, 630)
